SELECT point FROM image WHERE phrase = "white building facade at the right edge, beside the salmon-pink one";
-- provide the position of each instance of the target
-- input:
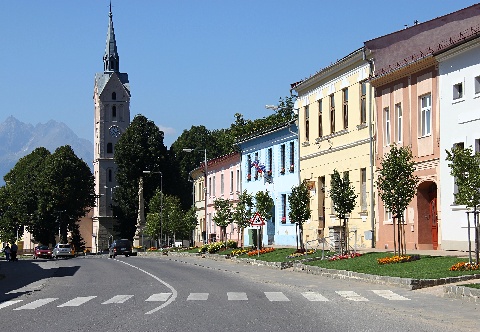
(459, 87)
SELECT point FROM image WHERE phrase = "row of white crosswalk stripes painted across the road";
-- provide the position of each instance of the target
(368, 295)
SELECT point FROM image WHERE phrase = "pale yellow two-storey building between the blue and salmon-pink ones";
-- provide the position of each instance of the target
(336, 126)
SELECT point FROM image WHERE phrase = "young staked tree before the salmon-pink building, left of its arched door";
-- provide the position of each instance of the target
(397, 185)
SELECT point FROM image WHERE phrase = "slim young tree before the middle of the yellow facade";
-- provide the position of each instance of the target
(344, 198)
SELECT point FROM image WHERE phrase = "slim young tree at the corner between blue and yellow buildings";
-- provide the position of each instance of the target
(299, 201)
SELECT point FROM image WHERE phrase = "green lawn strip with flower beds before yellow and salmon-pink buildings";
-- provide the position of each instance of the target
(428, 267)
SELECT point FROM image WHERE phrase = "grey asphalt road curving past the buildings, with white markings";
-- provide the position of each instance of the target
(94, 293)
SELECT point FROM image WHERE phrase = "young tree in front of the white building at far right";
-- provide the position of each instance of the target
(465, 168)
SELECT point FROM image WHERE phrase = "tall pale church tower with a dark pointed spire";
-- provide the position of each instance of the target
(111, 96)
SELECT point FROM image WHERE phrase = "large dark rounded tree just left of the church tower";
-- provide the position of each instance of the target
(66, 190)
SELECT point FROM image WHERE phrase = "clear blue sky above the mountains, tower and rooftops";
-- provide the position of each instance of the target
(190, 62)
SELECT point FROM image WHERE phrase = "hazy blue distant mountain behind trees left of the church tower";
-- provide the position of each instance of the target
(18, 139)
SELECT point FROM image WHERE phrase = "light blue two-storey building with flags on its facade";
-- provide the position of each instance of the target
(270, 162)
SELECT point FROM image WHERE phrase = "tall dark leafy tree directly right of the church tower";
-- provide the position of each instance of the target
(140, 148)
